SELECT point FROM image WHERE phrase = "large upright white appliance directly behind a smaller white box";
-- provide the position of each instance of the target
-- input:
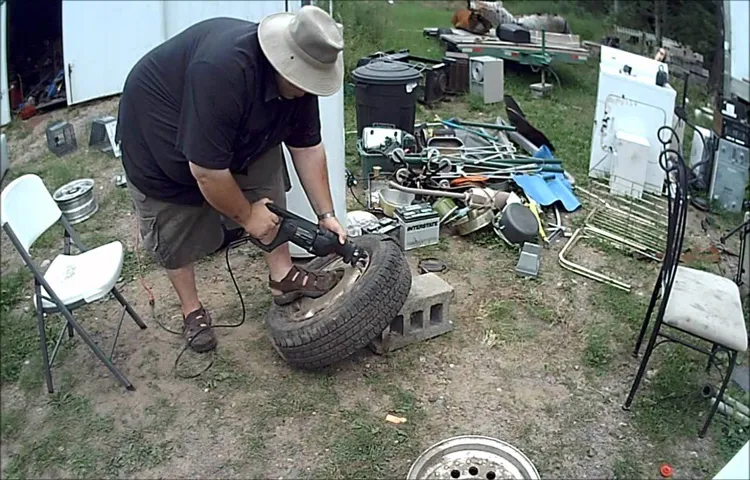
(636, 106)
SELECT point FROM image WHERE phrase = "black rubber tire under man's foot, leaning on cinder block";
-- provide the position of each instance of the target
(352, 321)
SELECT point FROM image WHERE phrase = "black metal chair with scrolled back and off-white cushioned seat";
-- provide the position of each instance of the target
(694, 302)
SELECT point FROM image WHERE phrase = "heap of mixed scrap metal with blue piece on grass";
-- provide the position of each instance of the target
(465, 177)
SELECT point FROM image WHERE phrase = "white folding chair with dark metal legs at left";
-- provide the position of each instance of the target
(27, 210)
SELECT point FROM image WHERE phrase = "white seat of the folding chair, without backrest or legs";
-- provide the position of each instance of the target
(87, 276)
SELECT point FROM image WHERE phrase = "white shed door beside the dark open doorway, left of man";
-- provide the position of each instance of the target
(103, 40)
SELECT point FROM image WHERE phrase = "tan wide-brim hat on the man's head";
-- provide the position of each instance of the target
(306, 48)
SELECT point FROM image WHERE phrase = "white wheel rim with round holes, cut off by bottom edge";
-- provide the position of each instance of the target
(472, 457)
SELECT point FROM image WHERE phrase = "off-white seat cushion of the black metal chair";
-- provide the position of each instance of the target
(708, 306)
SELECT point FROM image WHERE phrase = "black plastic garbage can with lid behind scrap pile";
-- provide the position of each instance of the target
(386, 92)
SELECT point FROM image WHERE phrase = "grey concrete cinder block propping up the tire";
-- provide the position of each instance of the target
(425, 314)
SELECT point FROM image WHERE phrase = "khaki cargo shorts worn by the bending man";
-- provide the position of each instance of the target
(179, 235)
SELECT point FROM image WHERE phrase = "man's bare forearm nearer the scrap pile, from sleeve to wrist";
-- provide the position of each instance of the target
(312, 170)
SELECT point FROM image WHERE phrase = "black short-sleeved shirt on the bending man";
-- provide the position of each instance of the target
(209, 96)
